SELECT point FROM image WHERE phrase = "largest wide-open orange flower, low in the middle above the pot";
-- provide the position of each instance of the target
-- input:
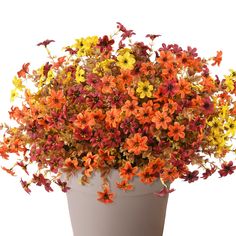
(136, 144)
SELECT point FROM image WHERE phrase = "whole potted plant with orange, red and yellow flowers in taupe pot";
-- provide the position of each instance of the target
(113, 122)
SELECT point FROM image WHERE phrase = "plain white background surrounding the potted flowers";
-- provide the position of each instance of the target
(203, 208)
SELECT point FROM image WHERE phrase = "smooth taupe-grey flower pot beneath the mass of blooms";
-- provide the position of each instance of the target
(133, 213)
